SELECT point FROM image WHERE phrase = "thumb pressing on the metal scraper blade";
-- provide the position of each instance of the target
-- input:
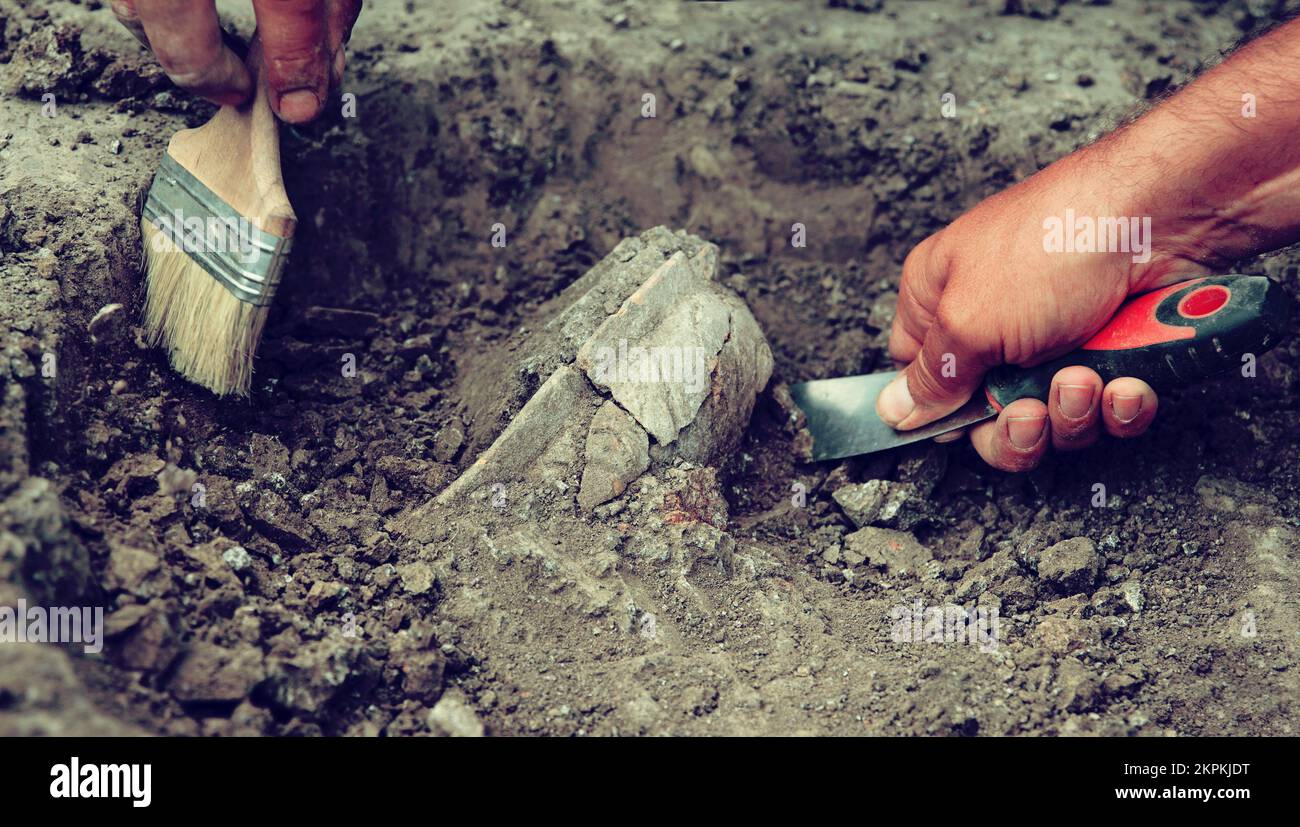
(947, 371)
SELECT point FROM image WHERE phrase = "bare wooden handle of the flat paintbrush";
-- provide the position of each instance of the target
(237, 157)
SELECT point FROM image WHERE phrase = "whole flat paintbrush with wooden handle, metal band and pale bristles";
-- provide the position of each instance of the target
(218, 230)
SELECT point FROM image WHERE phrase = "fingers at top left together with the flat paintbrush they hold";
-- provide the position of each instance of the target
(218, 223)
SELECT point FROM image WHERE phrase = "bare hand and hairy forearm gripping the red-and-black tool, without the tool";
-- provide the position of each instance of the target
(1214, 172)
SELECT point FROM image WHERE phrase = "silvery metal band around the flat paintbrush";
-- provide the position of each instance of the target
(200, 223)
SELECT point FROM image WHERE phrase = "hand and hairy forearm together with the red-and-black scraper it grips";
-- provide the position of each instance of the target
(1184, 192)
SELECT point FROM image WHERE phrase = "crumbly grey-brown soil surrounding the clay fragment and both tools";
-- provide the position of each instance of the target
(267, 566)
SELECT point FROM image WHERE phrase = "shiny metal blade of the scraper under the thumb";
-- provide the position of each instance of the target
(842, 417)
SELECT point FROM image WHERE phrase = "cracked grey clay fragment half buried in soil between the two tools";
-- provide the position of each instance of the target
(673, 360)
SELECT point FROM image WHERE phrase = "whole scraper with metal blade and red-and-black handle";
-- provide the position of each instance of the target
(1171, 337)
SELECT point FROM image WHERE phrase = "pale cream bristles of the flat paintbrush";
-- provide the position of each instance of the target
(210, 335)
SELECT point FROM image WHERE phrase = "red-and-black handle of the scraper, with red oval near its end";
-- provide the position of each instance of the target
(1169, 337)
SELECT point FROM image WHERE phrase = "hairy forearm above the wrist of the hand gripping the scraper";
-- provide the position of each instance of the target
(1217, 166)
